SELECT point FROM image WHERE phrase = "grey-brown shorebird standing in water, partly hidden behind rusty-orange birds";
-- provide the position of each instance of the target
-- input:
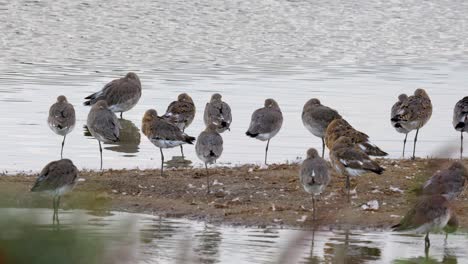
(316, 118)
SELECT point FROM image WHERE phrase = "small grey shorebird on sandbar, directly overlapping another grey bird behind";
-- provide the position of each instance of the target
(209, 148)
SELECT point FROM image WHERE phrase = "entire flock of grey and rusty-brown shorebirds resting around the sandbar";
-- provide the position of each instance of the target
(350, 149)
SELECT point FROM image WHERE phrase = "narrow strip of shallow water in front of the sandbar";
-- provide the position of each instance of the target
(150, 239)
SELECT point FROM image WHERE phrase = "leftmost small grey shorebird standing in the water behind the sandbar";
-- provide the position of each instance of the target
(62, 118)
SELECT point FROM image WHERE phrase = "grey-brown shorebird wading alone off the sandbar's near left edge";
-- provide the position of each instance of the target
(57, 178)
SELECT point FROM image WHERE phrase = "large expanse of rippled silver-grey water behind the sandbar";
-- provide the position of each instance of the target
(355, 56)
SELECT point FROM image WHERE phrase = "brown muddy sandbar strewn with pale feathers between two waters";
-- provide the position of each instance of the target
(246, 195)
